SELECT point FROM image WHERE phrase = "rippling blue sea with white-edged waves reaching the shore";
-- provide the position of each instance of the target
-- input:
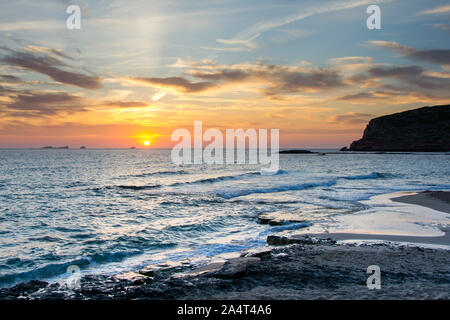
(113, 210)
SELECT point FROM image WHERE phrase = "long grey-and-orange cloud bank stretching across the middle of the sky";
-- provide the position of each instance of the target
(272, 79)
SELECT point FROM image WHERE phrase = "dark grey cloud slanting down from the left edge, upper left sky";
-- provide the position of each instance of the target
(51, 66)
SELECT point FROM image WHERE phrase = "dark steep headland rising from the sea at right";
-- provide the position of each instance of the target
(422, 130)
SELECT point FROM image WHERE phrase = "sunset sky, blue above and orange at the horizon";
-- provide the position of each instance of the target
(137, 70)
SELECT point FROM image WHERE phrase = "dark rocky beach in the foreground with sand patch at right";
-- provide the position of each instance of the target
(296, 266)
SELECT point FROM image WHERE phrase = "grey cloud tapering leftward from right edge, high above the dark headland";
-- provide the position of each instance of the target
(437, 56)
